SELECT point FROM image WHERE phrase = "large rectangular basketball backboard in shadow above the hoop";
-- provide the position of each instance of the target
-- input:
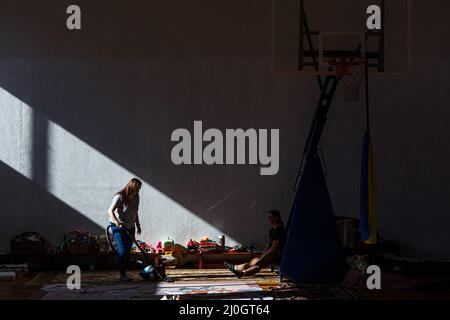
(308, 33)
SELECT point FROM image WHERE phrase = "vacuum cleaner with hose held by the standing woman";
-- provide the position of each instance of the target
(150, 272)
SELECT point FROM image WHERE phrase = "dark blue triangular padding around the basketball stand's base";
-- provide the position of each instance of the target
(312, 251)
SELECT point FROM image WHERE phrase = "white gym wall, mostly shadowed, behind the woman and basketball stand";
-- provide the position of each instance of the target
(83, 113)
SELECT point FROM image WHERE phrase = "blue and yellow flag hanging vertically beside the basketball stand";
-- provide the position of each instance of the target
(368, 196)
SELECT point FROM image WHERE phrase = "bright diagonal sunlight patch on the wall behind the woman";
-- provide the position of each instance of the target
(86, 180)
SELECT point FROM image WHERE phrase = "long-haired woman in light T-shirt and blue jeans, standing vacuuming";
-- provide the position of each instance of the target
(123, 214)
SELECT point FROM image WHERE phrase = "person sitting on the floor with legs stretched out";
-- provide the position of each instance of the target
(272, 253)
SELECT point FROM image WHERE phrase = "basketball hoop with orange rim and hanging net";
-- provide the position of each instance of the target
(351, 71)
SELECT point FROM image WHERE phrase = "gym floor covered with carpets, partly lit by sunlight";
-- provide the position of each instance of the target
(194, 284)
